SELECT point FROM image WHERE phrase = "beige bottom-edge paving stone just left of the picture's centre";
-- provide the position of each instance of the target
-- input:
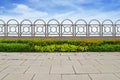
(47, 77)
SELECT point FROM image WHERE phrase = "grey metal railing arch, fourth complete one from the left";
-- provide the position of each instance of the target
(53, 27)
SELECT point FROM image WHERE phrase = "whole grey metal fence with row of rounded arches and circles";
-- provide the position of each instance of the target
(55, 28)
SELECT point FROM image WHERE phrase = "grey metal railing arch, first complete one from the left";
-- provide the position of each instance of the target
(12, 28)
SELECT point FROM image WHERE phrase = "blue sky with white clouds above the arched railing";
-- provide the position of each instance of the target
(60, 9)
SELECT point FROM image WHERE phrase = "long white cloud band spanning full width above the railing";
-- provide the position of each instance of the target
(23, 12)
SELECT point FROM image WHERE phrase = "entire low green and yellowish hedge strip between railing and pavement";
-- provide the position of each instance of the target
(50, 45)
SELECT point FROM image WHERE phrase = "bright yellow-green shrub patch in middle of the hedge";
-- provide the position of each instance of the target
(60, 48)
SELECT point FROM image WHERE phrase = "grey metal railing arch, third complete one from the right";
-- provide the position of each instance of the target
(80, 27)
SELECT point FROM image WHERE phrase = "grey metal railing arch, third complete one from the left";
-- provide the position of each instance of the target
(39, 27)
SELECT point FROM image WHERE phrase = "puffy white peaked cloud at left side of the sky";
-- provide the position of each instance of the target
(22, 11)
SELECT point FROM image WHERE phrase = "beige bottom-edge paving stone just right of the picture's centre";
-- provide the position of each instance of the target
(75, 77)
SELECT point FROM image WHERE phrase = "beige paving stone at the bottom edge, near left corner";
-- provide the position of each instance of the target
(19, 77)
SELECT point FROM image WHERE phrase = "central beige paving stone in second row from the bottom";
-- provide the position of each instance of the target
(62, 70)
